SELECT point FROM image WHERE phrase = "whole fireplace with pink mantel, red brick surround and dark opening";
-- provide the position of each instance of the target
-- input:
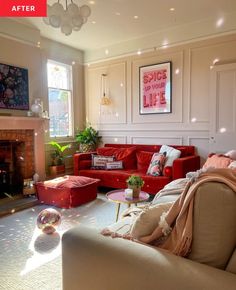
(21, 151)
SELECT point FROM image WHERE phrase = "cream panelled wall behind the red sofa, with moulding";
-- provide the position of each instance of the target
(190, 119)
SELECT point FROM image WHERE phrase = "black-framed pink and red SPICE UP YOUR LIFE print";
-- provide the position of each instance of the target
(155, 88)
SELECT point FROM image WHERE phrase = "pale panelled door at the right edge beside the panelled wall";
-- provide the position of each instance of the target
(223, 108)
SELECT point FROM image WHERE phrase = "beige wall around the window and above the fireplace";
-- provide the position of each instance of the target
(33, 56)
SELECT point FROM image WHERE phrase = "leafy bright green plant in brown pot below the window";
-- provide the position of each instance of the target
(57, 164)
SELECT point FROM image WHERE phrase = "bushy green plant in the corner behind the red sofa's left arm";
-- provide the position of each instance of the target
(88, 139)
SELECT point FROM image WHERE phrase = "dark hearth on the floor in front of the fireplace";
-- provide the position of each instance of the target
(9, 205)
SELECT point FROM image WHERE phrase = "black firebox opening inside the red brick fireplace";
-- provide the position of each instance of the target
(12, 164)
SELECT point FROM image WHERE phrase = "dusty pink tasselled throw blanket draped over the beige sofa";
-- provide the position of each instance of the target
(180, 215)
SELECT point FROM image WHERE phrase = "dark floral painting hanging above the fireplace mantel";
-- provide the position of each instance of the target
(14, 87)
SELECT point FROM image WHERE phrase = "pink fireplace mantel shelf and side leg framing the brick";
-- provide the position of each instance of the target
(38, 125)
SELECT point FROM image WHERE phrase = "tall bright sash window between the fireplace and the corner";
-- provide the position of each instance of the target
(60, 99)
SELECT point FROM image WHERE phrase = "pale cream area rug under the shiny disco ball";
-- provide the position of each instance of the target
(30, 259)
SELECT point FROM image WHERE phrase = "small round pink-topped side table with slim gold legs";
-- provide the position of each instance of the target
(118, 196)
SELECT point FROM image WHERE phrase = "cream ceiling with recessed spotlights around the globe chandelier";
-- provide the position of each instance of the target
(153, 16)
